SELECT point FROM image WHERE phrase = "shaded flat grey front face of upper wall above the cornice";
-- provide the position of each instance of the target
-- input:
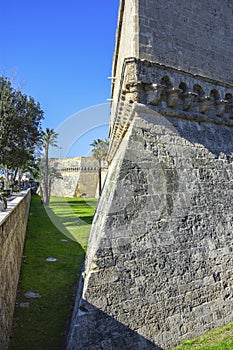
(195, 37)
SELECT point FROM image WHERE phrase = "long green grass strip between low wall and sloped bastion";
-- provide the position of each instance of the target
(44, 324)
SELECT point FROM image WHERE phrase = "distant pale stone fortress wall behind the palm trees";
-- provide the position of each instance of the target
(79, 177)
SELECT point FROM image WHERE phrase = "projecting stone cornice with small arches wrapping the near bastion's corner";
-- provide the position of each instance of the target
(172, 93)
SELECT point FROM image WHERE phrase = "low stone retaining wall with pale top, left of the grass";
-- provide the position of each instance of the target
(13, 223)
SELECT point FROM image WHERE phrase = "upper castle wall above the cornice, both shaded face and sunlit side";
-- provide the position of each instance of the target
(192, 37)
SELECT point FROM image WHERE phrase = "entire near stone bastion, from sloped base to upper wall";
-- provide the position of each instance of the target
(159, 263)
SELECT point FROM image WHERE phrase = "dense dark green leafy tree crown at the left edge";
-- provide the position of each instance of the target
(20, 126)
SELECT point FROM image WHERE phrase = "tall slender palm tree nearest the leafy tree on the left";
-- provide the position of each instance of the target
(49, 139)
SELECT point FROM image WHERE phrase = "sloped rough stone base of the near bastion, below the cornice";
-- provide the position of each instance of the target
(159, 262)
